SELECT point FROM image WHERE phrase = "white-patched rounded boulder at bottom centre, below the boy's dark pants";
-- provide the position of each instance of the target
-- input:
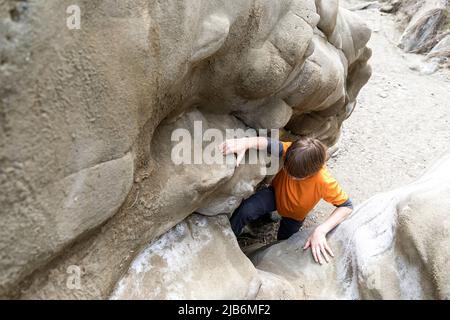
(198, 259)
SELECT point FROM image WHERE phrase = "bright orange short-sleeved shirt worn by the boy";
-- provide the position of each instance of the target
(295, 198)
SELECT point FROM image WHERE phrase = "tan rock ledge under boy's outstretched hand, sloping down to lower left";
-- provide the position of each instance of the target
(176, 191)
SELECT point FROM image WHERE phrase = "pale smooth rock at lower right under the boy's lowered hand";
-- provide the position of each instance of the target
(392, 247)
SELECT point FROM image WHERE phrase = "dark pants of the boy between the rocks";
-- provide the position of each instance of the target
(259, 204)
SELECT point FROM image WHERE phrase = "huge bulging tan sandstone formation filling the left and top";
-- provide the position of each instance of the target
(86, 118)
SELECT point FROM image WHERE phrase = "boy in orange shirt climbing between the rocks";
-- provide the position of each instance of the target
(295, 190)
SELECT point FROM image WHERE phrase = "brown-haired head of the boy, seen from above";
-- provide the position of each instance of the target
(305, 157)
